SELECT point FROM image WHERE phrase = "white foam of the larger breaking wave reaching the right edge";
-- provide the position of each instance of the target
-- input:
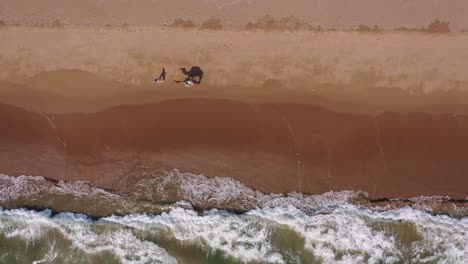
(346, 232)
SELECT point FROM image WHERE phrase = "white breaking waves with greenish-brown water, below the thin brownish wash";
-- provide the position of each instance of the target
(347, 234)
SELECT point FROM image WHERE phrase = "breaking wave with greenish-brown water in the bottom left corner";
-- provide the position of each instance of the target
(71, 238)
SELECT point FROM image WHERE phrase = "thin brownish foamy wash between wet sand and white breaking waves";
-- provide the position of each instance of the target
(38, 194)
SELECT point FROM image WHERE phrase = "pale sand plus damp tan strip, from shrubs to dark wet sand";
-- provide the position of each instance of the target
(82, 68)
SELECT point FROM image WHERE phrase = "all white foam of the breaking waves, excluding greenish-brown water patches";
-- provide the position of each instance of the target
(343, 235)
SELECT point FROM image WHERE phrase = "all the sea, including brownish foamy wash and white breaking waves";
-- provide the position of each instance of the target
(252, 228)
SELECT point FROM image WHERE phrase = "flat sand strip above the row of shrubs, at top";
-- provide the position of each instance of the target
(236, 13)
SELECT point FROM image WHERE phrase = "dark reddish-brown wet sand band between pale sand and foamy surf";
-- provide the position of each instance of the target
(269, 147)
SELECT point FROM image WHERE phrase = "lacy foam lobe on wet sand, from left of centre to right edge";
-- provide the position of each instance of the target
(228, 193)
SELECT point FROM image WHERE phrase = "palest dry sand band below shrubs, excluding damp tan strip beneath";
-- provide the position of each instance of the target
(247, 58)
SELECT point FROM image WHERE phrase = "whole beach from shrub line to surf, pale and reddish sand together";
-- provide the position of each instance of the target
(315, 112)
